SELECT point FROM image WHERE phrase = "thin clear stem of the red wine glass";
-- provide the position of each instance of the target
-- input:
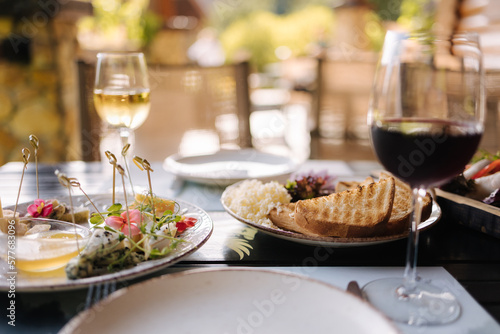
(410, 275)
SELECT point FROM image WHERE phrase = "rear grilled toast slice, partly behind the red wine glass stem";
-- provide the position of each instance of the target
(400, 219)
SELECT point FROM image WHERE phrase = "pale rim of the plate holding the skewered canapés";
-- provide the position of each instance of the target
(56, 280)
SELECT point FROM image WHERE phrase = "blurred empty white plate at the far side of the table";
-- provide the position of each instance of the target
(229, 166)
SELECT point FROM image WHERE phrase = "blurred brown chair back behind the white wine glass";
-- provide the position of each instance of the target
(193, 109)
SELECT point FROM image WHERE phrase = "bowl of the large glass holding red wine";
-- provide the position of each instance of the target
(427, 106)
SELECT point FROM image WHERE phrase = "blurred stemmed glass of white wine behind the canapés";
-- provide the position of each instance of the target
(121, 93)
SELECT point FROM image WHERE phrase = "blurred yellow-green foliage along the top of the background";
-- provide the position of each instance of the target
(258, 29)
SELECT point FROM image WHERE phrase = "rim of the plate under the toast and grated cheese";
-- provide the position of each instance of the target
(329, 241)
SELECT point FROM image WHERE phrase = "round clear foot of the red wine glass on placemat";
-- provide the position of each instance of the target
(426, 304)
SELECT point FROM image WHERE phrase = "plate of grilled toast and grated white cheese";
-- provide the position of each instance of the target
(362, 214)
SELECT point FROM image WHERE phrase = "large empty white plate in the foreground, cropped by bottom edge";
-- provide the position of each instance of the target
(231, 300)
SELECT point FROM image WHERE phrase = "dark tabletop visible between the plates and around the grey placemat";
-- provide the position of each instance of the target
(471, 257)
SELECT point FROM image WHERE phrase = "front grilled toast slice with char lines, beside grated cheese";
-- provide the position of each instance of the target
(360, 212)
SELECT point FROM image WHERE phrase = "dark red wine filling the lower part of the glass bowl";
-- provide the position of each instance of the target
(424, 153)
